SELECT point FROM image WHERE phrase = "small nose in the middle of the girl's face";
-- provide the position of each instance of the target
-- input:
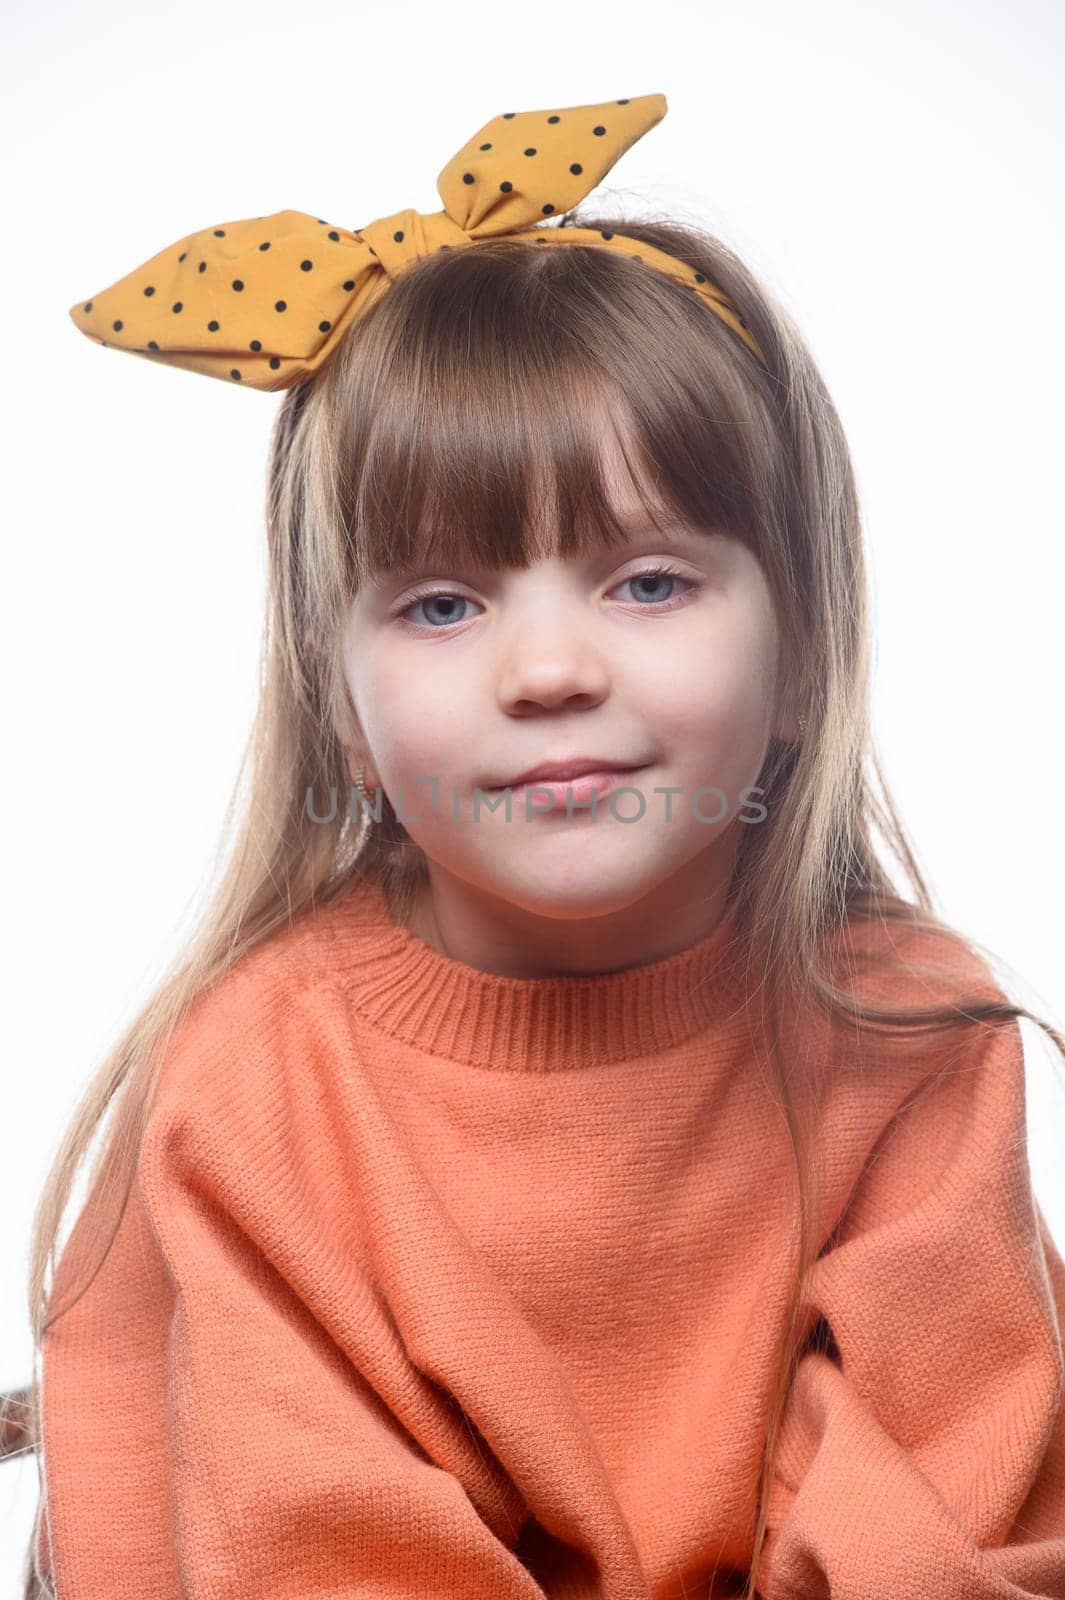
(549, 662)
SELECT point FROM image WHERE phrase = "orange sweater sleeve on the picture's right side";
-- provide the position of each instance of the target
(925, 1458)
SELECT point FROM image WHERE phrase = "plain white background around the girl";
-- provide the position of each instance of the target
(893, 172)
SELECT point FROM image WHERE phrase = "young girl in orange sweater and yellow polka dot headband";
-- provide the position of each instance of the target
(608, 1186)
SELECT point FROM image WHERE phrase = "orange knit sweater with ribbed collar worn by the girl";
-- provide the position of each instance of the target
(444, 1284)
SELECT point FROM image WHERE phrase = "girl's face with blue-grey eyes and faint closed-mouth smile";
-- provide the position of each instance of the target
(465, 681)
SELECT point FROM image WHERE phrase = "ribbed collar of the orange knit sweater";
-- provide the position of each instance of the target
(527, 1025)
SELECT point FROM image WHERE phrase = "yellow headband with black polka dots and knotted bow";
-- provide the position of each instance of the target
(265, 302)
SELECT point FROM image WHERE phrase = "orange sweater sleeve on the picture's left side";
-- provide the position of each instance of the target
(213, 1428)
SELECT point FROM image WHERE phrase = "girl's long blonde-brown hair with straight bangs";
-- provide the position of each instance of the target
(447, 414)
